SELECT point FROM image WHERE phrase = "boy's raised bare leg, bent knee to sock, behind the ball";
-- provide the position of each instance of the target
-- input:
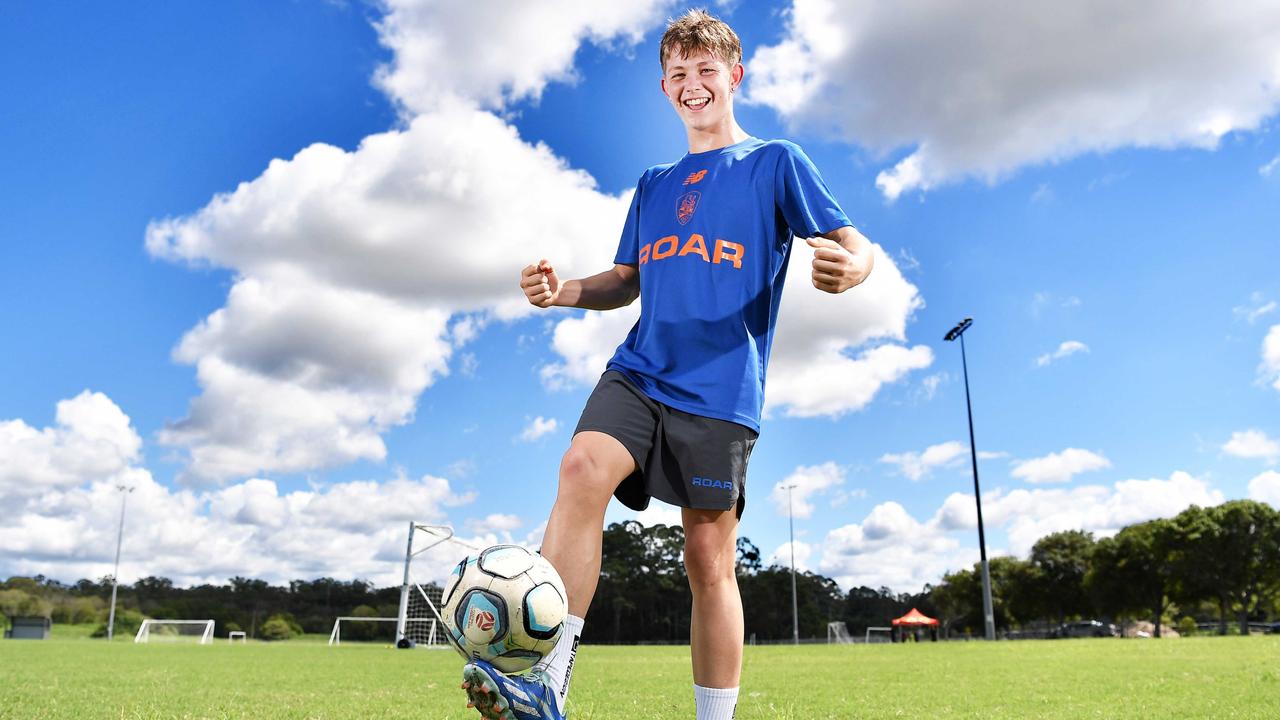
(595, 466)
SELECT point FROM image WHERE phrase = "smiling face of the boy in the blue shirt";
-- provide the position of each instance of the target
(701, 88)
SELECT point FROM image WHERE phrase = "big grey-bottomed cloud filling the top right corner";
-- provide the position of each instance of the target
(981, 89)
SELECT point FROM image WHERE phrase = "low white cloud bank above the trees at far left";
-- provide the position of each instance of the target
(62, 513)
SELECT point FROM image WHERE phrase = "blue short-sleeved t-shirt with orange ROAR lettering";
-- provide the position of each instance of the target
(712, 235)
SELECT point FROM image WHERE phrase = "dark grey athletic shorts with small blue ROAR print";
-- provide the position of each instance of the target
(683, 459)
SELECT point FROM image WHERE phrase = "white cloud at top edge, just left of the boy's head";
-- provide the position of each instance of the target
(525, 47)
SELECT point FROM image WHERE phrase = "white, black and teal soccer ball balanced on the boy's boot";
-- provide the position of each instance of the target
(506, 605)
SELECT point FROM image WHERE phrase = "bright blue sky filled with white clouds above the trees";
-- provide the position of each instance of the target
(259, 262)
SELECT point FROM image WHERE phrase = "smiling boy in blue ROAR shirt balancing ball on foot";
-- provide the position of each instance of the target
(678, 412)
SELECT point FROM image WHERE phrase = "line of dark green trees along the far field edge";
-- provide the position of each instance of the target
(1208, 564)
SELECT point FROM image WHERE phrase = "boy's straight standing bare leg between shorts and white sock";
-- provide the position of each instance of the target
(716, 636)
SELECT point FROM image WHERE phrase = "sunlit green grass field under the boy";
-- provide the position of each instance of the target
(1217, 678)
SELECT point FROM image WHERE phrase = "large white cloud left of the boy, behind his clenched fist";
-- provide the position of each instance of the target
(341, 315)
